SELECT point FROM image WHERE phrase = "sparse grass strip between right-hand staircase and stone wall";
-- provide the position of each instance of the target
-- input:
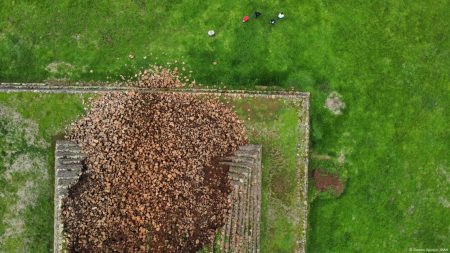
(273, 124)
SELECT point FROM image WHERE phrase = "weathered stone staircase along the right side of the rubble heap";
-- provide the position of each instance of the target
(241, 230)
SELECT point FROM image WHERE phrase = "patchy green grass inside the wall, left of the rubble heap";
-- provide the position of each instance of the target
(50, 113)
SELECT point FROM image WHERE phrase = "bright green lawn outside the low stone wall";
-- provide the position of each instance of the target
(390, 60)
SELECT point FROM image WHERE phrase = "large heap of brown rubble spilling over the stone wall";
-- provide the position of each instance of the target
(153, 182)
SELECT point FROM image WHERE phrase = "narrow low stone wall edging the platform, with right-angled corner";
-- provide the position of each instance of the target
(301, 99)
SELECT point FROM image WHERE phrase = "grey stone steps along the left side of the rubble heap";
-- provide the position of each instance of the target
(68, 167)
